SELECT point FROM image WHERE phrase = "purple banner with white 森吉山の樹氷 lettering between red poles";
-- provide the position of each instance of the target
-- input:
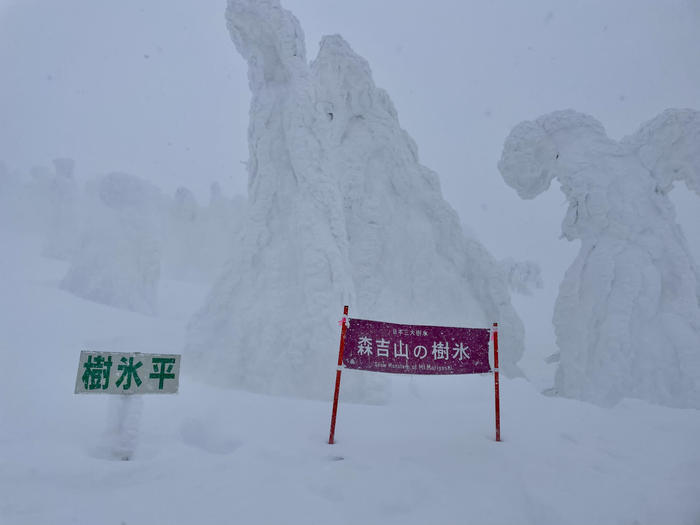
(415, 349)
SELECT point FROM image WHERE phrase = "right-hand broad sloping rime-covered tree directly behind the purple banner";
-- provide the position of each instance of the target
(410, 259)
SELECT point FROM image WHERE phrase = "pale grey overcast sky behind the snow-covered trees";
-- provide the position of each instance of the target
(157, 89)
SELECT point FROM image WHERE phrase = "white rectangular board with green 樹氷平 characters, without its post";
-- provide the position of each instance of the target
(127, 373)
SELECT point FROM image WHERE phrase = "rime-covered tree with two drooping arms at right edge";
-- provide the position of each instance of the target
(627, 318)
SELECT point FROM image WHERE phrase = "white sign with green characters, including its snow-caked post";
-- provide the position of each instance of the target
(126, 374)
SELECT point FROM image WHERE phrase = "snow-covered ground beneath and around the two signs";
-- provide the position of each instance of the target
(209, 455)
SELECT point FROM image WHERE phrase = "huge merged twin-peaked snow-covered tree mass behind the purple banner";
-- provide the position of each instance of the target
(340, 212)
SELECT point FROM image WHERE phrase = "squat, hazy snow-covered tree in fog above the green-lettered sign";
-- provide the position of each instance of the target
(117, 262)
